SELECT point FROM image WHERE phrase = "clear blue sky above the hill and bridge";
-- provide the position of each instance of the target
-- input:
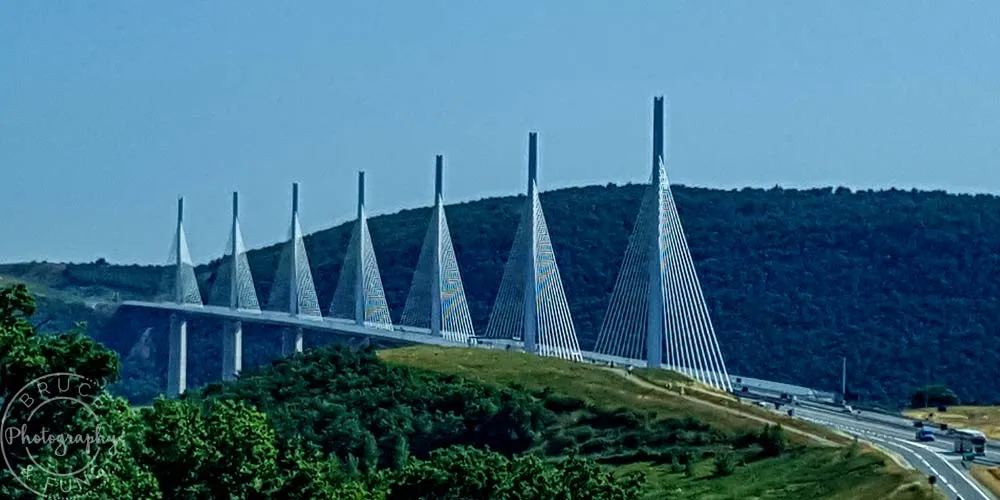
(111, 109)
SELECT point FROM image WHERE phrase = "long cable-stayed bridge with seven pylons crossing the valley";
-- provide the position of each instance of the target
(657, 315)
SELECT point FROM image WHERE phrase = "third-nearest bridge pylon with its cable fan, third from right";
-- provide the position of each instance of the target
(437, 297)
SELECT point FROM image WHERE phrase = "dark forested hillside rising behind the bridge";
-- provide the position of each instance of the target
(903, 283)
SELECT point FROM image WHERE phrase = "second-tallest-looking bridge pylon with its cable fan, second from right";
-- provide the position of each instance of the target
(531, 304)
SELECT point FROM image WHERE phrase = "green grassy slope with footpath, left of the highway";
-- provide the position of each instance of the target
(809, 472)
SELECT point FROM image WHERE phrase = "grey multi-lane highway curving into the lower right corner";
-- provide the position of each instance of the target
(932, 458)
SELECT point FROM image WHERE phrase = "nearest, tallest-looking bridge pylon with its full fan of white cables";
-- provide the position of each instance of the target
(657, 306)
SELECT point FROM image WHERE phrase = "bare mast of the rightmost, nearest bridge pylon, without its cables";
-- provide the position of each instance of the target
(656, 308)
